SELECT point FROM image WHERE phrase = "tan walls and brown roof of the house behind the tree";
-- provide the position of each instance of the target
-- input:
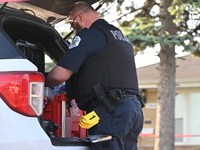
(187, 83)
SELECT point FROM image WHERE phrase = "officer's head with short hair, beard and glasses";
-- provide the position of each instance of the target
(81, 16)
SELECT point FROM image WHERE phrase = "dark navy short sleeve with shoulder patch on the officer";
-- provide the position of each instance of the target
(84, 46)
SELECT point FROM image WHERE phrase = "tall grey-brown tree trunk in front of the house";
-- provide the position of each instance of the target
(166, 88)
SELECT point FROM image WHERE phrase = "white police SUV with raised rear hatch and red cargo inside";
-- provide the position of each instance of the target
(28, 119)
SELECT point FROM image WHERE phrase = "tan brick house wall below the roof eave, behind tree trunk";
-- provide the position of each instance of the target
(147, 143)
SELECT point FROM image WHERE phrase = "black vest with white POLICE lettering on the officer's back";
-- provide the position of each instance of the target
(113, 67)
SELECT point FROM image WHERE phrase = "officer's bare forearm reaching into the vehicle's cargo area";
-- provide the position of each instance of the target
(57, 76)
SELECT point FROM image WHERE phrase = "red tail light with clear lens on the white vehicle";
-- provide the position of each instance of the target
(23, 92)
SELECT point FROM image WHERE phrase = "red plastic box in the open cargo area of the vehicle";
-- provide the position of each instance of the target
(65, 114)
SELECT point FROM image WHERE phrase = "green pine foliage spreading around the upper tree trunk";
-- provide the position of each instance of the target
(144, 29)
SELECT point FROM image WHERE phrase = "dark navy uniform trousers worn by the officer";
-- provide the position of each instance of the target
(124, 124)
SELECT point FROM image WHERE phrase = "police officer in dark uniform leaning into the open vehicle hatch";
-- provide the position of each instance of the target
(100, 71)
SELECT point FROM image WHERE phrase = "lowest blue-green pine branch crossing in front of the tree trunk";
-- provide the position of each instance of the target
(141, 40)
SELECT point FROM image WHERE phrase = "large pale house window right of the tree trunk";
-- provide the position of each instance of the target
(187, 111)
